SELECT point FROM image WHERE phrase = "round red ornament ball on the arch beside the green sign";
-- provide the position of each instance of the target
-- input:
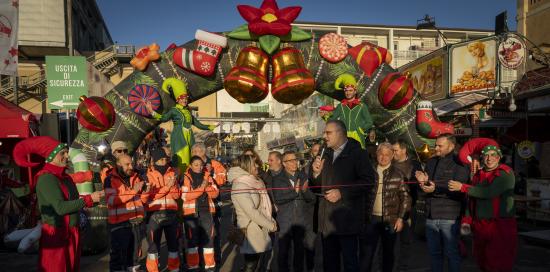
(95, 113)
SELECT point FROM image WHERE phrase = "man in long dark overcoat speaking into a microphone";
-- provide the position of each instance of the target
(344, 172)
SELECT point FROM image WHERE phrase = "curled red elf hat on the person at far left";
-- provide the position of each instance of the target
(45, 146)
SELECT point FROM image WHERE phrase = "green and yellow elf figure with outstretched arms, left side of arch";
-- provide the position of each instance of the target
(181, 139)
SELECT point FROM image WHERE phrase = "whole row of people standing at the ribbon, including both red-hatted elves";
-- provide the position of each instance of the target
(339, 197)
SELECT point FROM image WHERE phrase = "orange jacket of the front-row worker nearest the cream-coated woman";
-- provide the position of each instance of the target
(190, 195)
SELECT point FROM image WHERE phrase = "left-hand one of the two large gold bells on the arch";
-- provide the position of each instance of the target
(247, 81)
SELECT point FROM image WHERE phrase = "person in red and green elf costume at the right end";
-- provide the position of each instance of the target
(491, 212)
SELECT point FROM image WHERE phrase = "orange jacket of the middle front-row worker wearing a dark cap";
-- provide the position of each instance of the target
(161, 197)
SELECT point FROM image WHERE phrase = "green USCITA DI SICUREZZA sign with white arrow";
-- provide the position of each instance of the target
(67, 81)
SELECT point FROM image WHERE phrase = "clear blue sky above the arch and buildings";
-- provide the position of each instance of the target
(141, 22)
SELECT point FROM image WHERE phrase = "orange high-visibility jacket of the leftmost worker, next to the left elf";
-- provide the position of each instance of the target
(123, 202)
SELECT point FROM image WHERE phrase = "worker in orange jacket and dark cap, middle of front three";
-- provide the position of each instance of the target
(162, 210)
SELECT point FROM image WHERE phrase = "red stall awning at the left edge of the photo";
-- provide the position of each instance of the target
(17, 118)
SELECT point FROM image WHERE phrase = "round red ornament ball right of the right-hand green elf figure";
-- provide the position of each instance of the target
(395, 91)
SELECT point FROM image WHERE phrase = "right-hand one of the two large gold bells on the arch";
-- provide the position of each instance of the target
(292, 81)
